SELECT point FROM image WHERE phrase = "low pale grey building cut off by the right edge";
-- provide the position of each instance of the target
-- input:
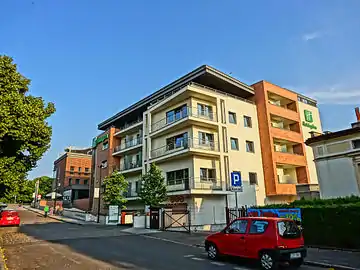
(337, 160)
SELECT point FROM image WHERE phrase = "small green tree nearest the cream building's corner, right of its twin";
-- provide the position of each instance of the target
(153, 190)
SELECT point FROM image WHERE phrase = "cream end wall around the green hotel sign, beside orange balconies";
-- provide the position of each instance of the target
(306, 134)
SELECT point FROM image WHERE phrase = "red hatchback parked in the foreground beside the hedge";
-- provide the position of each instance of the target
(269, 240)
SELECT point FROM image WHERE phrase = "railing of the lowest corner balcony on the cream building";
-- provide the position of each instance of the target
(193, 183)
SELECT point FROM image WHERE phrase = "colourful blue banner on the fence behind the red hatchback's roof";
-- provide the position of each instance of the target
(292, 213)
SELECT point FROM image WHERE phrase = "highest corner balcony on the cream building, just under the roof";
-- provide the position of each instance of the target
(202, 118)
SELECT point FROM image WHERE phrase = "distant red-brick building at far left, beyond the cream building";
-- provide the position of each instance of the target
(72, 176)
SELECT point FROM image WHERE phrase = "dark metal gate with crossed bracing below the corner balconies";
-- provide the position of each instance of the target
(176, 220)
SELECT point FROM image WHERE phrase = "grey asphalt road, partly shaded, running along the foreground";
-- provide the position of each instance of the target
(48, 244)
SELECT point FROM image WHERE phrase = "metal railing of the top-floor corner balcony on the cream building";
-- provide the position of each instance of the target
(188, 111)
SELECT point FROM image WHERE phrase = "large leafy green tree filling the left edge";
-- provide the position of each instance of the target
(24, 132)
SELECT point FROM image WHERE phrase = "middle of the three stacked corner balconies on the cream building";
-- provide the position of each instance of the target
(185, 146)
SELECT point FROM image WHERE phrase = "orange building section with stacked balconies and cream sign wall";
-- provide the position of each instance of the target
(286, 120)
